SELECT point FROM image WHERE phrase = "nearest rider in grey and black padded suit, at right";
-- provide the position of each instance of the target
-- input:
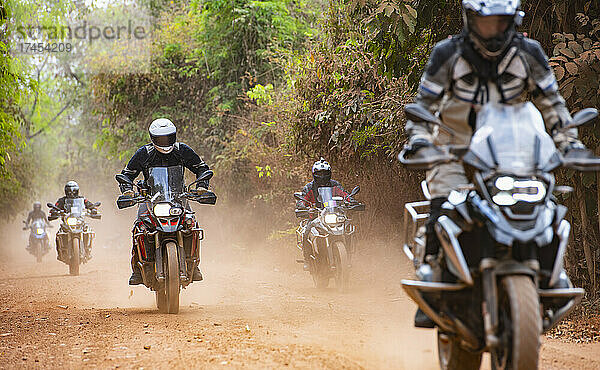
(489, 61)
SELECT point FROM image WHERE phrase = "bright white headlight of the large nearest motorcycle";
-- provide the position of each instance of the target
(507, 191)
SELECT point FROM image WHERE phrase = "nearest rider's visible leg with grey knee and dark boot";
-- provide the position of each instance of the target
(441, 180)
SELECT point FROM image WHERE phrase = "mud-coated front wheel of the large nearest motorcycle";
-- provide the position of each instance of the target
(520, 325)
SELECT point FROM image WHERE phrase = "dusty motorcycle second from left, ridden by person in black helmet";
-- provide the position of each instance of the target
(75, 236)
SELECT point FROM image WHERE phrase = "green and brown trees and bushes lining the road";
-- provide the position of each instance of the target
(262, 89)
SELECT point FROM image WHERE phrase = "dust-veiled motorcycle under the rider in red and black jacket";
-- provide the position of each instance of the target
(330, 237)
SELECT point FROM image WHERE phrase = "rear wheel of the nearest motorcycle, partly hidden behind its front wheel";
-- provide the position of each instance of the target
(452, 356)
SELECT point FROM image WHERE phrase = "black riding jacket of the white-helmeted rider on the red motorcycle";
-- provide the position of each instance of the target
(147, 157)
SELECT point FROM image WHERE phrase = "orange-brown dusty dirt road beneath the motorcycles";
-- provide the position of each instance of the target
(251, 311)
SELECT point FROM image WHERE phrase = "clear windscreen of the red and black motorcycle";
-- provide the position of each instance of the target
(165, 183)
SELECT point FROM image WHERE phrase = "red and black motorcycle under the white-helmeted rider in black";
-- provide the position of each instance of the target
(167, 236)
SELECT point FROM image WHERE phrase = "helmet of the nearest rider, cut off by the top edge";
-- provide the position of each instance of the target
(492, 42)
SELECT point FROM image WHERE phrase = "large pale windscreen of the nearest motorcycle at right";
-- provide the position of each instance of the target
(512, 139)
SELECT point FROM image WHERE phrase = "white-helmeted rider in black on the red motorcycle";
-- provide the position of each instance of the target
(163, 150)
